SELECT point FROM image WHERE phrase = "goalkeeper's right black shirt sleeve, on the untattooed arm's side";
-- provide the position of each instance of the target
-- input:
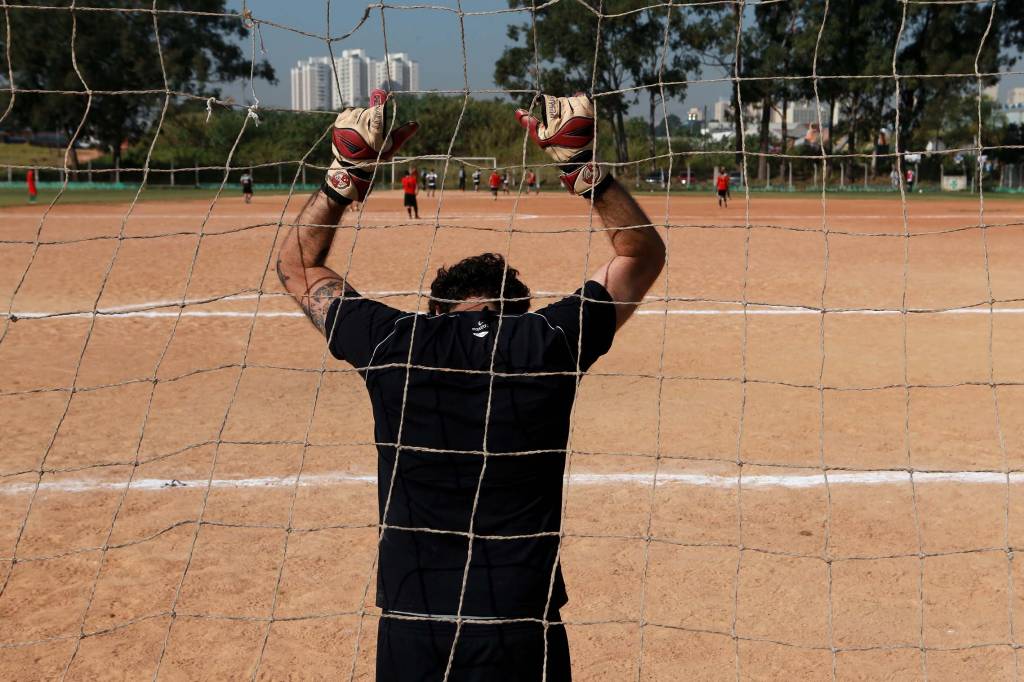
(599, 322)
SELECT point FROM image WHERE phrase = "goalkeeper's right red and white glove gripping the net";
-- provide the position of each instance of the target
(567, 135)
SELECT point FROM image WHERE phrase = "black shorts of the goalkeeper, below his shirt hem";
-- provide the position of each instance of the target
(418, 651)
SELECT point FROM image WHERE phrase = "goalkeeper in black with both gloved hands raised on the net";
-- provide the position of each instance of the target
(461, 424)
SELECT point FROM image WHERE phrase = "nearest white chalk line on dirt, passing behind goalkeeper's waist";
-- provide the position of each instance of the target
(808, 481)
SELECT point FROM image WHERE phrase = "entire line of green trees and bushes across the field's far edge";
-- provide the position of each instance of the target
(633, 56)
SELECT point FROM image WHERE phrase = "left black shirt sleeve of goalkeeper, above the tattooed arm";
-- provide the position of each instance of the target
(356, 326)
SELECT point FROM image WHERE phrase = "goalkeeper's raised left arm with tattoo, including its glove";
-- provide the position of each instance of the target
(361, 139)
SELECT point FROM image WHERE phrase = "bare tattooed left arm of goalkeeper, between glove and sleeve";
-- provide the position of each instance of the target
(304, 254)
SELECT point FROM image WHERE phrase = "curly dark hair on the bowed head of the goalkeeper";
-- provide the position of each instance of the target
(480, 277)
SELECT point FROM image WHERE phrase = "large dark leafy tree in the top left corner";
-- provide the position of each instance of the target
(116, 52)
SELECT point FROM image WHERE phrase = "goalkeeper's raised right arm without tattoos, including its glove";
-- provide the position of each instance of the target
(566, 133)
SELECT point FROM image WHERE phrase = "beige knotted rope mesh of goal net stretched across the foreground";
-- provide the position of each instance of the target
(184, 304)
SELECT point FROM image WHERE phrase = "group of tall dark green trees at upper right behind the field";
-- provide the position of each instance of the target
(839, 54)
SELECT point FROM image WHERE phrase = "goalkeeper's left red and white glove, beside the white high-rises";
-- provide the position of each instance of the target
(360, 140)
